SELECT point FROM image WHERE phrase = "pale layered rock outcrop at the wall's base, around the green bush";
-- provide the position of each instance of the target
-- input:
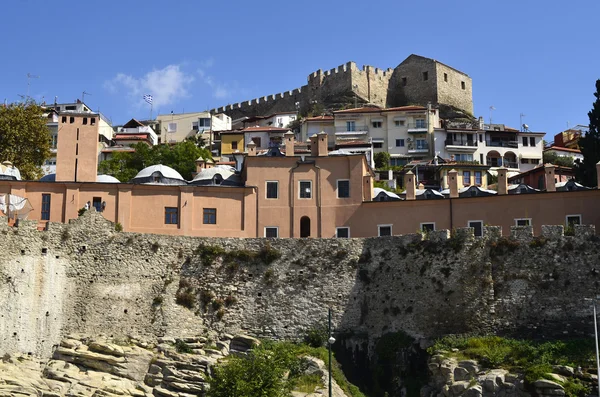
(102, 367)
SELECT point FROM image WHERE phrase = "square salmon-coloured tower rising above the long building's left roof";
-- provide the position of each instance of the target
(77, 144)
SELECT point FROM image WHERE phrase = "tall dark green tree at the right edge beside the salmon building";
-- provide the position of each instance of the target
(589, 144)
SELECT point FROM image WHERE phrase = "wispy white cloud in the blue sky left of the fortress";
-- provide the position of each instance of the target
(167, 85)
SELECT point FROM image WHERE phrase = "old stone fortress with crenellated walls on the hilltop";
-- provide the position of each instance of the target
(417, 80)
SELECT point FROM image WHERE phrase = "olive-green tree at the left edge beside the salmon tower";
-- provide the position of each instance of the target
(24, 138)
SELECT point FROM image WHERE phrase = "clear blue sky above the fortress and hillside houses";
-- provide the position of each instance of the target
(539, 58)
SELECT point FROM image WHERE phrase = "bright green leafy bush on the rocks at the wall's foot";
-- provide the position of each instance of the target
(259, 374)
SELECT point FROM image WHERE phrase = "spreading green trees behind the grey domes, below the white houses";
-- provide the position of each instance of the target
(181, 157)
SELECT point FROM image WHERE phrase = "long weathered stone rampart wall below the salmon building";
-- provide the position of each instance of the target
(86, 278)
